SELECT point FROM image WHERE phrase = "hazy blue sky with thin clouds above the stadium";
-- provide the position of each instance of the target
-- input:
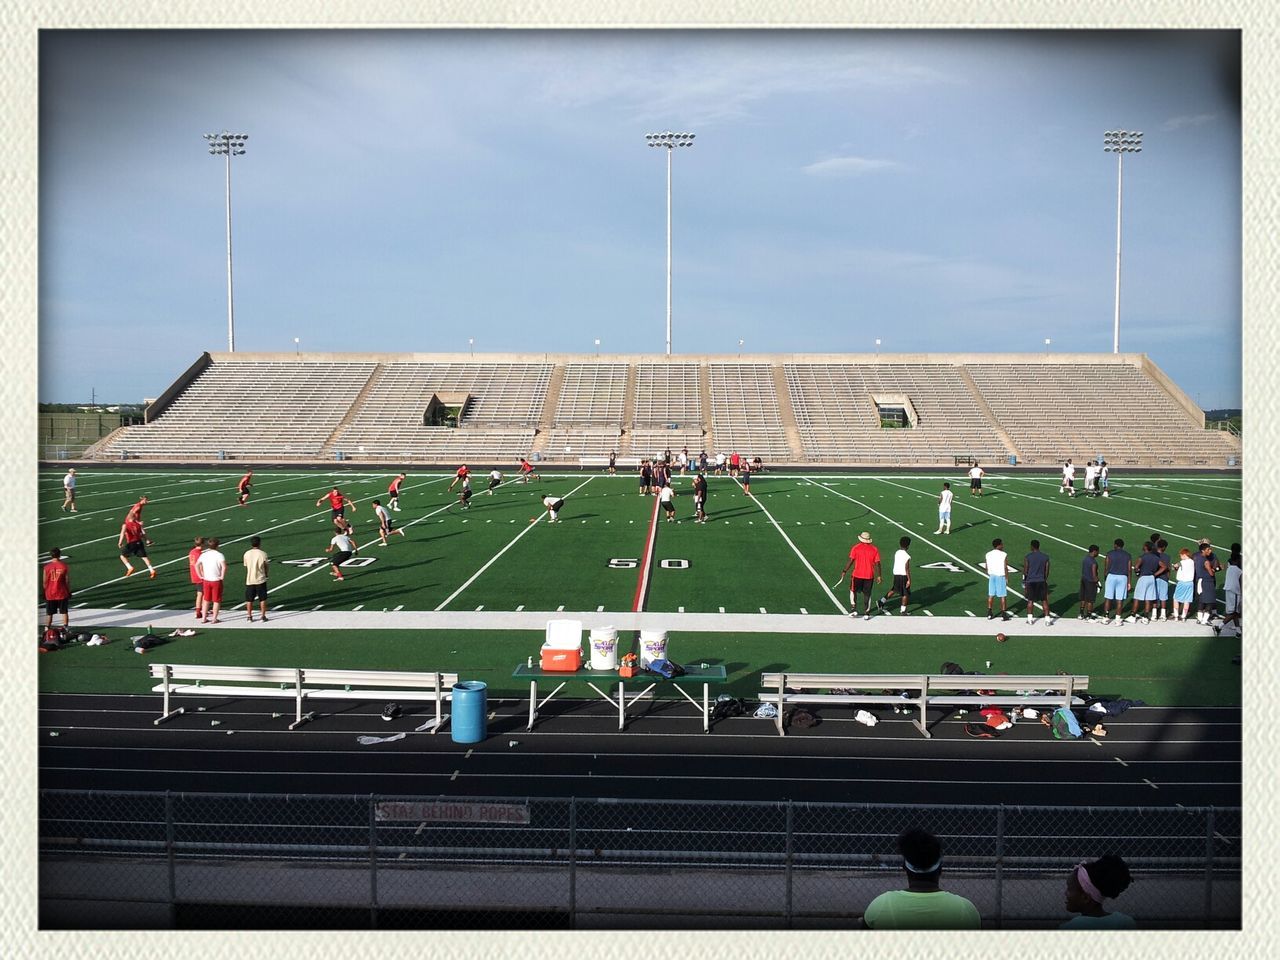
(406, 191)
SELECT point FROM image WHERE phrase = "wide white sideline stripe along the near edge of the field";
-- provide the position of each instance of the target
(879, 625)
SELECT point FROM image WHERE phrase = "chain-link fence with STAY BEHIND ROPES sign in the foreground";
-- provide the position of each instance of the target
(232, 861)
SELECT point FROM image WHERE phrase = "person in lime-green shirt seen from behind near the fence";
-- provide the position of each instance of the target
(924, 906)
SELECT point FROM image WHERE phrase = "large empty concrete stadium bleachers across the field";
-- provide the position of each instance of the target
(815, 409)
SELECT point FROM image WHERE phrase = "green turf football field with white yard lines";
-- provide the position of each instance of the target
(778, 552)
